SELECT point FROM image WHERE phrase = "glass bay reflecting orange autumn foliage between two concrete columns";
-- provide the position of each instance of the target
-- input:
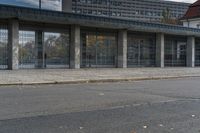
(99, 49)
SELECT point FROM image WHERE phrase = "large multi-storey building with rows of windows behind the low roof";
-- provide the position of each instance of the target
(150, 10)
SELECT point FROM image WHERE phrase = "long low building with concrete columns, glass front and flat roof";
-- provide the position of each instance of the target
(33, 38)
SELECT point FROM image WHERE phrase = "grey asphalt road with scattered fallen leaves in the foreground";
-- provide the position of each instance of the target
(162, 106)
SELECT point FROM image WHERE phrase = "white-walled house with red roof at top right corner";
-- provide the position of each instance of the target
(192, 16)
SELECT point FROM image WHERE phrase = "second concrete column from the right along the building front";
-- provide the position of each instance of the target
(160, 50)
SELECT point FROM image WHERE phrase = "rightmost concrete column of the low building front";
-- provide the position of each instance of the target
(190, 52)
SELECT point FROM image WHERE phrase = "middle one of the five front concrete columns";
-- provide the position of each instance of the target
(122, 49)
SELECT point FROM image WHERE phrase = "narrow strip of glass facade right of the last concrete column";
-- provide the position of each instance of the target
(197, 52)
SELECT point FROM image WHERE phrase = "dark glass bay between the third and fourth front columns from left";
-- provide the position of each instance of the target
(141, 50)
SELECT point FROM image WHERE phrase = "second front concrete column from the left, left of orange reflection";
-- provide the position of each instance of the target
(75, 47)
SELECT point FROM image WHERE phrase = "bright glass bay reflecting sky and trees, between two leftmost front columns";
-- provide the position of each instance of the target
(54, 53)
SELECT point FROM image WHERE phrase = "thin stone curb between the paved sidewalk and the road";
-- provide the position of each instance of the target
(97, 80)
